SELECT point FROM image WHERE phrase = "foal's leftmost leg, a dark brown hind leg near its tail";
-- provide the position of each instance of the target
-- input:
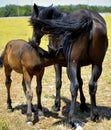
(8, 85)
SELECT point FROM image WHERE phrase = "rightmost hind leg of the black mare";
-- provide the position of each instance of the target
(96, 72)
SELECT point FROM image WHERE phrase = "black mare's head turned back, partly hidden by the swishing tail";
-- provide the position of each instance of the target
(40, 12)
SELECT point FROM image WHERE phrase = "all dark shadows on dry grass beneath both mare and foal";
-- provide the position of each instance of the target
(83, 117)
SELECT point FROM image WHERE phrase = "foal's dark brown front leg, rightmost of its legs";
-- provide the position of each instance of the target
(39, 92)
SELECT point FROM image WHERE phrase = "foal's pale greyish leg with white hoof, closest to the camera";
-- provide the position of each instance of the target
(29, 95)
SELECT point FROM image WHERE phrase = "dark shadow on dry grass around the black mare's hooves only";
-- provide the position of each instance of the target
(83, 117)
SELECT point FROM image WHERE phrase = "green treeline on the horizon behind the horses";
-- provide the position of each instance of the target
(14, 10)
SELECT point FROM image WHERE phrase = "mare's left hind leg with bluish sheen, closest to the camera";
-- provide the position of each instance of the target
(72, 71)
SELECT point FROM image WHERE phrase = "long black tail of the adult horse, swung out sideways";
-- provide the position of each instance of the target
(76, 27)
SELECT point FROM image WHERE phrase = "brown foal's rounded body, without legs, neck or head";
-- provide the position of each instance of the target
(19, 54)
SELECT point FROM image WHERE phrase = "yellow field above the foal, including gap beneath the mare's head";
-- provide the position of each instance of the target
(16, 28)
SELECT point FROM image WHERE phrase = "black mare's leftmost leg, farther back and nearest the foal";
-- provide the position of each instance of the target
(58, 71)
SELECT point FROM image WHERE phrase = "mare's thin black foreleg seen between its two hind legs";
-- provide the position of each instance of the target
(83, 105)
